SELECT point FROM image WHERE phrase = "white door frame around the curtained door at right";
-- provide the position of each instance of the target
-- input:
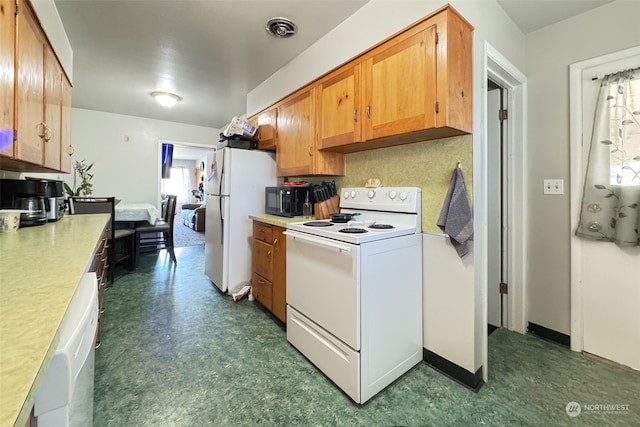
(577, 178)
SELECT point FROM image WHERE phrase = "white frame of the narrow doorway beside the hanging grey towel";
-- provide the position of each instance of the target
(496, 67)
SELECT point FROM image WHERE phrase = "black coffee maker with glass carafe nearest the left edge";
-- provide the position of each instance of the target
(28, 195)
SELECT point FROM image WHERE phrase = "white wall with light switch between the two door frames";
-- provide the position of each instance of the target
(550, 51)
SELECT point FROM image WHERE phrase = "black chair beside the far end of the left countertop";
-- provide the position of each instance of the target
(93, 205)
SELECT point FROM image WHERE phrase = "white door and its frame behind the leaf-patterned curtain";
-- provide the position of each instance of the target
(604, 316)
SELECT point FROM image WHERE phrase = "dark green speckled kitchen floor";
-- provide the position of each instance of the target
(175, 352)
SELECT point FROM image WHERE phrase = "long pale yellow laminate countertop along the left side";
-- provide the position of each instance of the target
(40, 268)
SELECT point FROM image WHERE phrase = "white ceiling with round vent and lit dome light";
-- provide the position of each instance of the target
(211, 52)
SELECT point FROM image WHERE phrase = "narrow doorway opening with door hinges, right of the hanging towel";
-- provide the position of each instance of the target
(497, 206)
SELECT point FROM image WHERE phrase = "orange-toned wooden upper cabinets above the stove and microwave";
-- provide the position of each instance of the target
(415, 86)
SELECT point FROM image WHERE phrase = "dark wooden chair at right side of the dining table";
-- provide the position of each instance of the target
(158, 236)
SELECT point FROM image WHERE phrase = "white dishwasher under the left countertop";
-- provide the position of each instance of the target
(65, 397)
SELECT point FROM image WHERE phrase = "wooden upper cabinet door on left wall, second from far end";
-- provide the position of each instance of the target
(52, 110)
